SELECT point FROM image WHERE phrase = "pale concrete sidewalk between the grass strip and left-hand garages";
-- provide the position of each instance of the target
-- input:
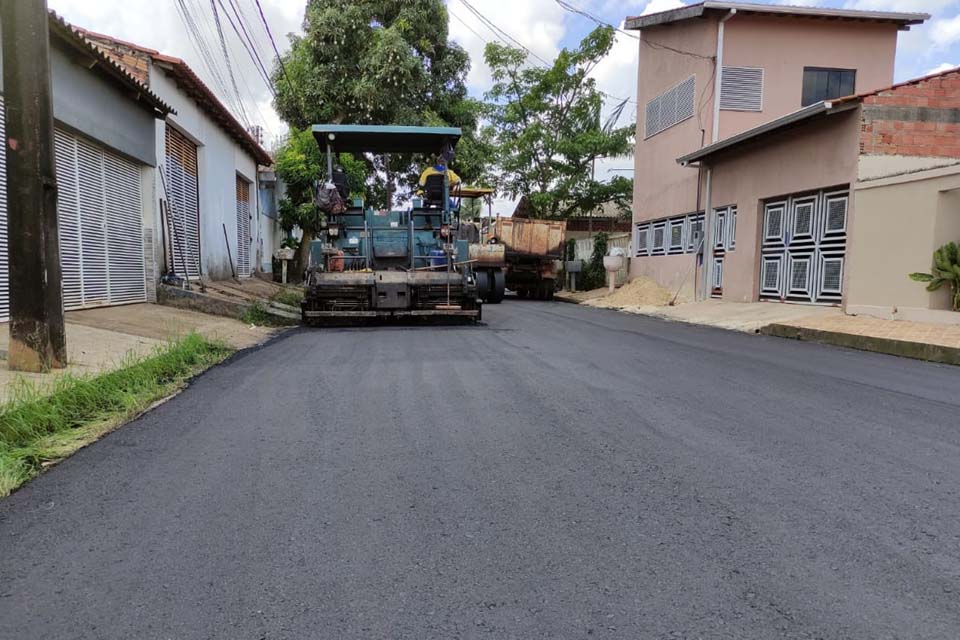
(102, 339)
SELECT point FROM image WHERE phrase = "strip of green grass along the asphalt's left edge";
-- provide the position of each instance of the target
(42, 424)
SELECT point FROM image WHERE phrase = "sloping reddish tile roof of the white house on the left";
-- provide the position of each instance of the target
(191, 84)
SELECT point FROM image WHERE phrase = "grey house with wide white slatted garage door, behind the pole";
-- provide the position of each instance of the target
(106, 157)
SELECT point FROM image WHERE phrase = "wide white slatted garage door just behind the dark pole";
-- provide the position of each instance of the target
(100, 223)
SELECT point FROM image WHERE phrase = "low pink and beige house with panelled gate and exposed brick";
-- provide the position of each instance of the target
(850, 196)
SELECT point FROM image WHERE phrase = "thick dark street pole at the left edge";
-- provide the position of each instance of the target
(37, 338)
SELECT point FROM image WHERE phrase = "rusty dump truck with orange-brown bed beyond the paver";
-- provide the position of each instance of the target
(531, 250)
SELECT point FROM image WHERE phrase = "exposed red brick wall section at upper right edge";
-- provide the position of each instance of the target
(915, 119)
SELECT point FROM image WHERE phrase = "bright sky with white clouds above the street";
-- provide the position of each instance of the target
(542, 25)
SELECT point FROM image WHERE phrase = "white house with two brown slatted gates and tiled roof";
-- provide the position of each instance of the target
(210, 219)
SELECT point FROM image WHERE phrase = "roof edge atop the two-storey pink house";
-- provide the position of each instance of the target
(904, 20)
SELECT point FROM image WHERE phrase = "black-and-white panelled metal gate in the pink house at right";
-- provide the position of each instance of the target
(804, 247)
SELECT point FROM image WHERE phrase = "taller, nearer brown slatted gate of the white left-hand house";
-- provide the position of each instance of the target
(183, 202)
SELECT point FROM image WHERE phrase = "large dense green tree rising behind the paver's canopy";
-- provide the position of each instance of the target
(380, 62)
